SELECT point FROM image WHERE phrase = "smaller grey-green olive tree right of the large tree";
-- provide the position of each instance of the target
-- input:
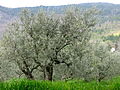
(103, 62)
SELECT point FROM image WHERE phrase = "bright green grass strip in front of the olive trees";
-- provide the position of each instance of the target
(23, 84)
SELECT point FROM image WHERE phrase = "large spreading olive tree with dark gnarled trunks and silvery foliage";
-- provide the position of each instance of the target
(42, 40)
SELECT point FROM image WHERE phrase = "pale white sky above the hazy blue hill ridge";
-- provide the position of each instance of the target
(30, 3)
